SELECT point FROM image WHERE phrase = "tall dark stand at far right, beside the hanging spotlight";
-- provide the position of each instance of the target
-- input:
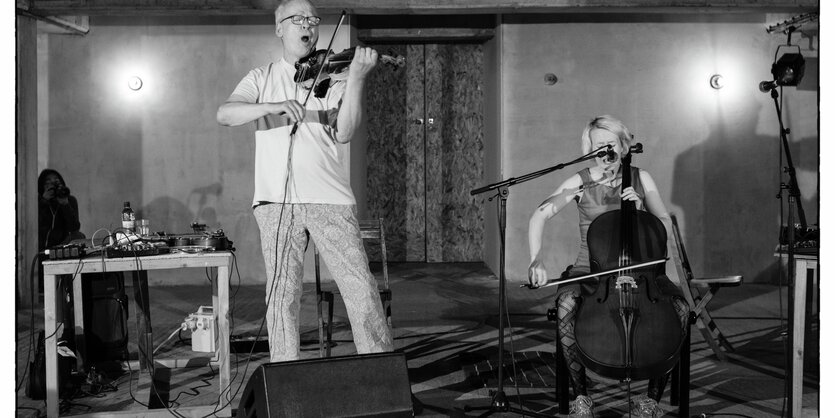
(794, 201)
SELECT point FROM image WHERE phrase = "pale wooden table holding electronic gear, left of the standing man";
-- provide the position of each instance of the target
(222, 261)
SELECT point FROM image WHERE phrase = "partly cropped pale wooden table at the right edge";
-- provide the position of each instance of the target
(805, 269)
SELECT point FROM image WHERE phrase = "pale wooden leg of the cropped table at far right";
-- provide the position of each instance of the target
(798, 334)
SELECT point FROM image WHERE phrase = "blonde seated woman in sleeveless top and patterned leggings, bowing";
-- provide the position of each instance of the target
(597, 190)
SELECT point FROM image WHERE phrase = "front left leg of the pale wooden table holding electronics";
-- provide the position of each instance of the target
(50, 344)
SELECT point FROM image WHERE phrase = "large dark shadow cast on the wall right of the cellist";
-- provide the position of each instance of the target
(726, 187)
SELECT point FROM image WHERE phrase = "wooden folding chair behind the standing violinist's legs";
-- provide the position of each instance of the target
(370, 229)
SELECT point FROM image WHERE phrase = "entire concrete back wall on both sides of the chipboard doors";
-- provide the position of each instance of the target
(714, 154)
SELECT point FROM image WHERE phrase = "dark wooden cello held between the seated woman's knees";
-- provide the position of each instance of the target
(628, 306)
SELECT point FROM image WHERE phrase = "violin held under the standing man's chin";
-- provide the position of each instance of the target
(333, 66)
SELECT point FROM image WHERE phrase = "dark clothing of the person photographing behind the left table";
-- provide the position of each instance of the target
(57, 222)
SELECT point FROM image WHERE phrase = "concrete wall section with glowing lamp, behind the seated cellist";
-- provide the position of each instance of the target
(713, 154)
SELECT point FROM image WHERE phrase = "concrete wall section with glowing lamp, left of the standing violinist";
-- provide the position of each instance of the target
(160, 147)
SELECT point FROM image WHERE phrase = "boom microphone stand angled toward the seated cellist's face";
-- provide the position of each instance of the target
(499, 401)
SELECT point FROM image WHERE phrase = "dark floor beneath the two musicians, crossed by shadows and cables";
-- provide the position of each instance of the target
(445, 320)
